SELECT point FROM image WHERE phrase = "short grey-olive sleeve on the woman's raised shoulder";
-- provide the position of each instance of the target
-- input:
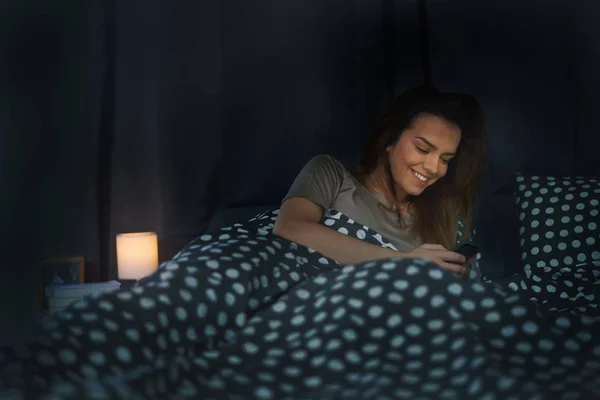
(319, 181)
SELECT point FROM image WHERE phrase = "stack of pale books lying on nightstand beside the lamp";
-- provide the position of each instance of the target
(60, 296)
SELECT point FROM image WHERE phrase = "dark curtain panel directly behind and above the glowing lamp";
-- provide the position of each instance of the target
(165, 156)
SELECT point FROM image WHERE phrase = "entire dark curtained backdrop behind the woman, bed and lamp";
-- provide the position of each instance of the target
(151, 115)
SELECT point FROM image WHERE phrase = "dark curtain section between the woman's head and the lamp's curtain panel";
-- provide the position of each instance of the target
(297, 78)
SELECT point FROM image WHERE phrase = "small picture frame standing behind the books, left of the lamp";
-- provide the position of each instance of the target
(59, 271)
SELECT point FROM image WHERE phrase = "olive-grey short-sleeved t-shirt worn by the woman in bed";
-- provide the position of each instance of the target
(326, 182)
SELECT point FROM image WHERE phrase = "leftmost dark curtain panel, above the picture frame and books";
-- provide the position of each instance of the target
(51, 76)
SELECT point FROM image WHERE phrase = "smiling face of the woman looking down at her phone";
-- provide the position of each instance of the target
(420, 156)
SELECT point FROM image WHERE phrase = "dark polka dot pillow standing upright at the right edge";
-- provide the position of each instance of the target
(558, 221)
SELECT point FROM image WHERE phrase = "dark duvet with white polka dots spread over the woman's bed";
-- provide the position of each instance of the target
(243, 314)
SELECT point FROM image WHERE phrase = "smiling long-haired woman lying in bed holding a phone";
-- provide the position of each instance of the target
(417, 178)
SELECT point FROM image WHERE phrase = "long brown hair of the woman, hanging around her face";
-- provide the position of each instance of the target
(437, 210)
